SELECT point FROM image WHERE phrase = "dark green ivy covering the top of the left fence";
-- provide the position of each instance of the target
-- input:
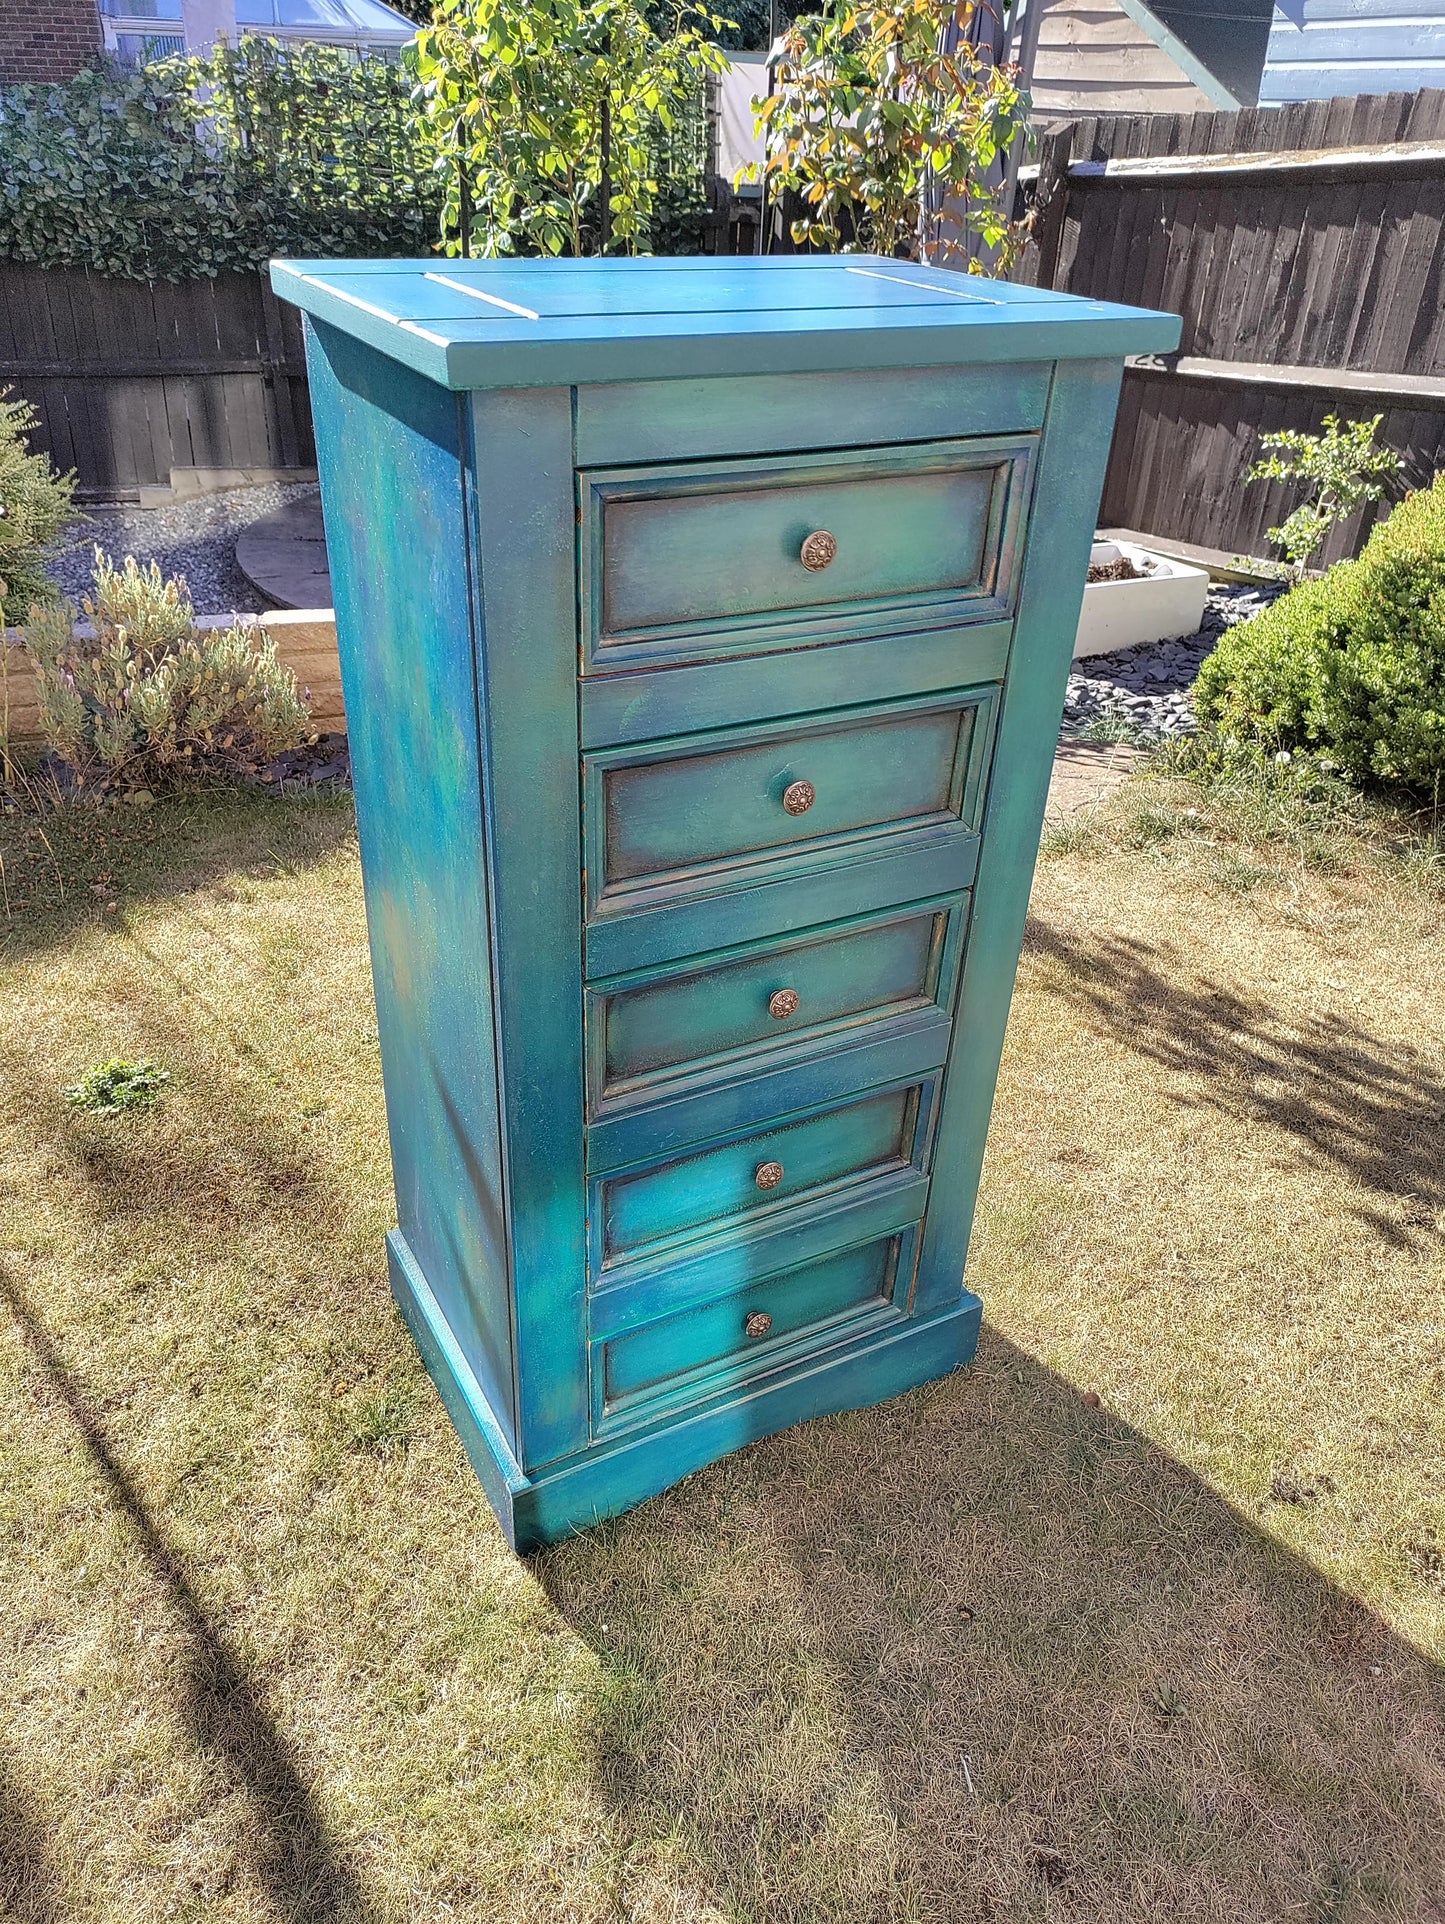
(191, 166)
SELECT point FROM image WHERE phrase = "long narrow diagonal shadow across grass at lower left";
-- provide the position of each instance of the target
(292, 1852)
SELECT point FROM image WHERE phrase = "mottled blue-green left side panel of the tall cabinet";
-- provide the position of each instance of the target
(395, 520)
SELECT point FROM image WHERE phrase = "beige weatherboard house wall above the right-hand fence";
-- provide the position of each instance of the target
(1094, 59)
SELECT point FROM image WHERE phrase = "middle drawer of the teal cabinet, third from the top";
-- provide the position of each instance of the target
(730, 1013)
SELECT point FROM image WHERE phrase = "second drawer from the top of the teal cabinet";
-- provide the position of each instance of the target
(738, 807)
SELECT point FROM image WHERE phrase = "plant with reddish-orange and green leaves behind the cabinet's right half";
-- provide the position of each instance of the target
(890, 141)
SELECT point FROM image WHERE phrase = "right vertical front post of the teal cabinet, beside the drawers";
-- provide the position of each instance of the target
(1077, 438)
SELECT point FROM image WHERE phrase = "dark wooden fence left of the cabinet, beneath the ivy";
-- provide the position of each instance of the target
(134, 380)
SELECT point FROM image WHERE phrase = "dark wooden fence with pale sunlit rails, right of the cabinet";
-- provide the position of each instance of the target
(1304, 247)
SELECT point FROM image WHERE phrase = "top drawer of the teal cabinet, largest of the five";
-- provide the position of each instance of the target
(717, 559)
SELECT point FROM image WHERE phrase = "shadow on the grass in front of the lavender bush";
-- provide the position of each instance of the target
(59, 871)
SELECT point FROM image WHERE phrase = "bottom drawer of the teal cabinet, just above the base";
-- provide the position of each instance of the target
(773, 1325)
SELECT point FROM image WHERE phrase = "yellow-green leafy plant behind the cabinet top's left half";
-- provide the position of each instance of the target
(547, 116)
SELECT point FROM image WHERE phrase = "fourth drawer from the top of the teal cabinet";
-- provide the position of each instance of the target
(644, 1215)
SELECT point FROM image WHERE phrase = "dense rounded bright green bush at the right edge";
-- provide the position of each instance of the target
(1348, 671)
